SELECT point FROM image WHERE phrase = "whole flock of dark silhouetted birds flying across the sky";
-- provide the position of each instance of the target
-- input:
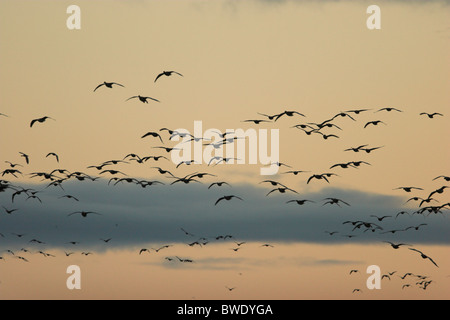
(427, 205)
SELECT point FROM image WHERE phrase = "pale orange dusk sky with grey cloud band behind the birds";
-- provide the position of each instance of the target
(237, 60)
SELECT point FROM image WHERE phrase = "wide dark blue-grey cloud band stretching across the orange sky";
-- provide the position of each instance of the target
(133, 216)
